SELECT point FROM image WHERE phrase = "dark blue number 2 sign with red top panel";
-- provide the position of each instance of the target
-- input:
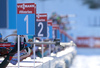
(41, 25)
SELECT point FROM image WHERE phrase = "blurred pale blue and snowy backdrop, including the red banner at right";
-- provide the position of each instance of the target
(82, 24)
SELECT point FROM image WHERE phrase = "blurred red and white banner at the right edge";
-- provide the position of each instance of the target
(88, 41)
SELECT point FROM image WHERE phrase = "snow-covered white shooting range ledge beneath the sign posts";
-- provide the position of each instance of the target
(62, 59)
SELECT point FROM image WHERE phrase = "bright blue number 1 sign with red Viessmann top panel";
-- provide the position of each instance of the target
(26, 18)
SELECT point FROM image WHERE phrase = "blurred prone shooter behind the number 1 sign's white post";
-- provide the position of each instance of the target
(24, 52)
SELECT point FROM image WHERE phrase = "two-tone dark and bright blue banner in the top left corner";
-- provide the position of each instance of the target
(8, 14)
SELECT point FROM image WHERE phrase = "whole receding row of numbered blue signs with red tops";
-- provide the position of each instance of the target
(30, 23)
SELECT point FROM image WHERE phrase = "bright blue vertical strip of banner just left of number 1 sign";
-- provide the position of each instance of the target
(12, 12)
